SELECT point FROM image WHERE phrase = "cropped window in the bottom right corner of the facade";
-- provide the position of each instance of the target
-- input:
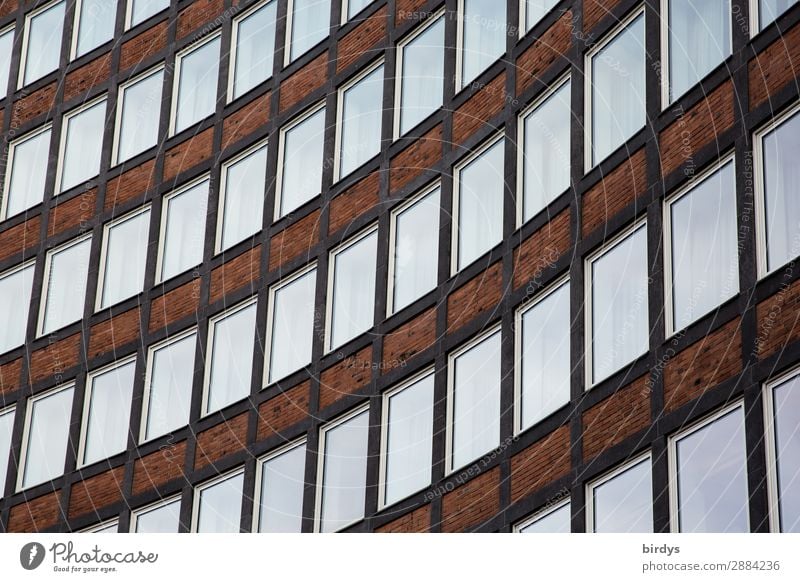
(786, 411)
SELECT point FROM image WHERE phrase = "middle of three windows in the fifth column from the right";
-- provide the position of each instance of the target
(479, 185)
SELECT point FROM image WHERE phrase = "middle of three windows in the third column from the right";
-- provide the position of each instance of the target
(617, 315)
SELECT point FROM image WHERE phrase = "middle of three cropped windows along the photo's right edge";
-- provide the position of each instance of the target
(780, 151)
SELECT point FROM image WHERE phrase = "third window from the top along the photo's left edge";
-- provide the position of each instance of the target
(15, 300)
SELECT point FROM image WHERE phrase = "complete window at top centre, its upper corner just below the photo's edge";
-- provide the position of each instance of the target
(420, 72)
